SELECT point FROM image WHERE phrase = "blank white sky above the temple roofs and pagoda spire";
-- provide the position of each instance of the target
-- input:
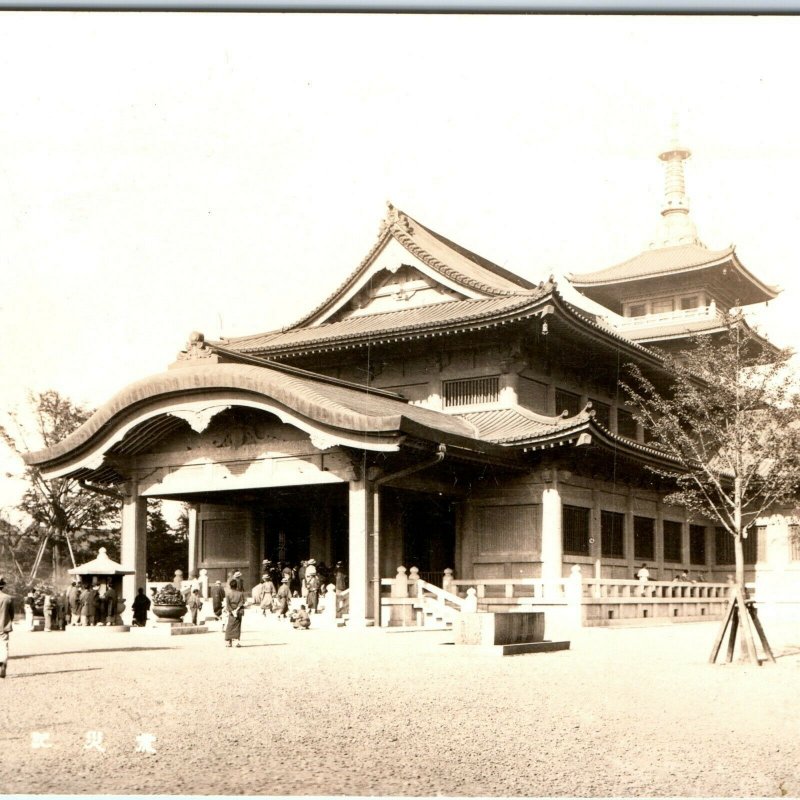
(163, 173)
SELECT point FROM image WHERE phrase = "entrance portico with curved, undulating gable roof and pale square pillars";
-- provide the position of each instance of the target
(232, 438)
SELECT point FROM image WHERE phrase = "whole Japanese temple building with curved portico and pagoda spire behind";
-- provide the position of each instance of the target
(436, 411)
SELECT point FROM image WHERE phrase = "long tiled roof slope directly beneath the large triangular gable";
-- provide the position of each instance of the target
(394, 323)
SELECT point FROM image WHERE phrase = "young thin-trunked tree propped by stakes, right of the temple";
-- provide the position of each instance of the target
(731, 422)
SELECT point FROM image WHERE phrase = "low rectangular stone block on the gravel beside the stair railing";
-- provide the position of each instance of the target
(504, 634)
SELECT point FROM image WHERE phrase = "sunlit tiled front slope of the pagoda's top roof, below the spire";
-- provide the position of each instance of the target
(650, 263)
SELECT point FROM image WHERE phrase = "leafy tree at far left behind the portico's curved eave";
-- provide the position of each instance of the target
(60, 507)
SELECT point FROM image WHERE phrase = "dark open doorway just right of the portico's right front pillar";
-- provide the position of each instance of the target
(429, 533)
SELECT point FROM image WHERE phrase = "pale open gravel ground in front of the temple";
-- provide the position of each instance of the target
(625, 712)
